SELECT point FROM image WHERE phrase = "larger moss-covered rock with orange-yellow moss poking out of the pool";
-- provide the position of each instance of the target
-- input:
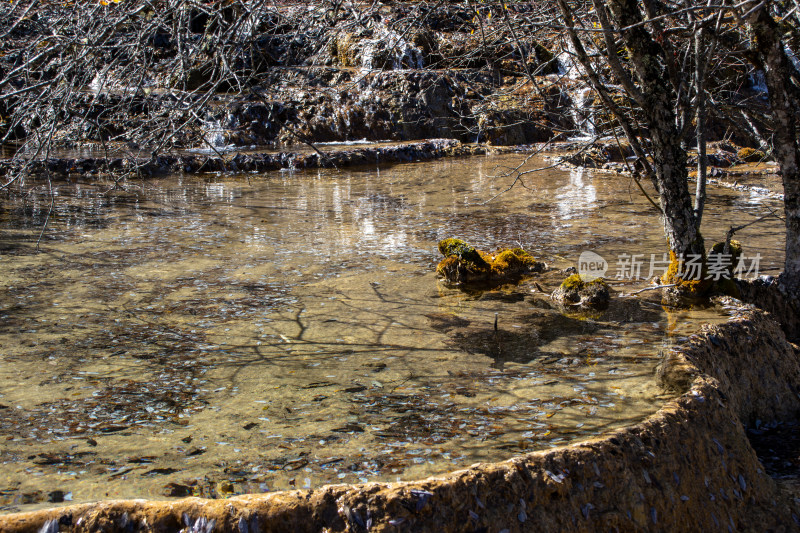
(464, 264)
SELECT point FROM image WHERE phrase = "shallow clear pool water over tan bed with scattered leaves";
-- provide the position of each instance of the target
(234, 334)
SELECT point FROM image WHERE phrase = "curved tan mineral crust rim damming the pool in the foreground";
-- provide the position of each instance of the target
(689, 467)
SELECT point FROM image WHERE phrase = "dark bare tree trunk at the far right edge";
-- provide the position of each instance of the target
(783, 100)
